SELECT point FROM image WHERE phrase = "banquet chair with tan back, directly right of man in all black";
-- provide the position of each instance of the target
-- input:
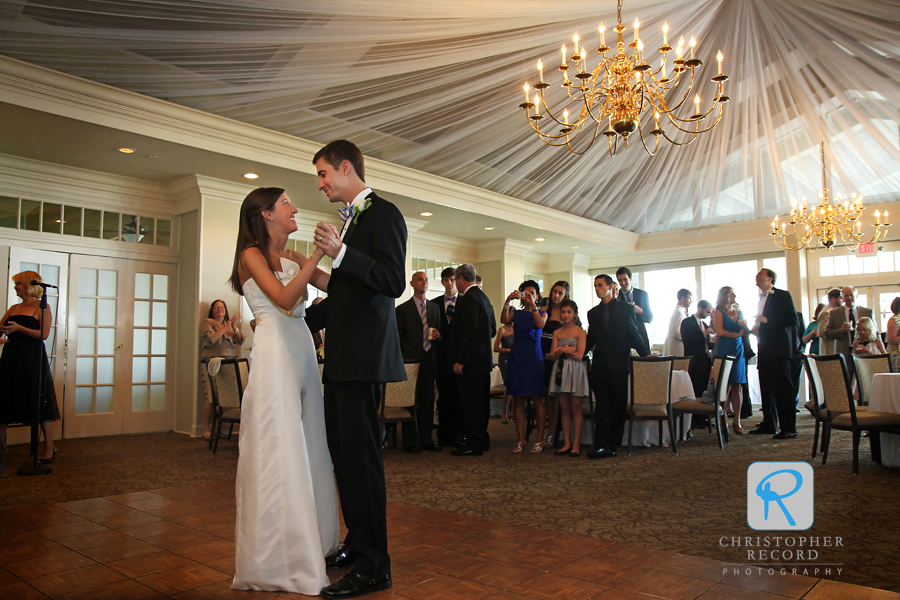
(651, 395)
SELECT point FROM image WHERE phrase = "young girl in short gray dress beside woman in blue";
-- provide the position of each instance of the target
(569, 380)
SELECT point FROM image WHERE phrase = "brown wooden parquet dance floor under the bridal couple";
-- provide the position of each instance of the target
(179, 543)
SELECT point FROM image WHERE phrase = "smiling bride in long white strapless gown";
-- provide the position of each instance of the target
(286, 500)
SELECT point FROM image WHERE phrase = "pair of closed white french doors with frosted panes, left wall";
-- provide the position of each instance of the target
(119, 377)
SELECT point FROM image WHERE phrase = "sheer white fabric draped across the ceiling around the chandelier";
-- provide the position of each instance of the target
(435, 85)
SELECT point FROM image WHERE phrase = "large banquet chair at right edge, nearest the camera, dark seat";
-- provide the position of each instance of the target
(843, 414)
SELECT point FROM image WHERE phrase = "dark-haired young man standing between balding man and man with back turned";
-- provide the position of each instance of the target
(450, 428)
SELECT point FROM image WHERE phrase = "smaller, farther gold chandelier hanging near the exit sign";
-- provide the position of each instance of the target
(824, 225)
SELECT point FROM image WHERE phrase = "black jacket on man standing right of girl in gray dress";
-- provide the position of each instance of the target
(612, 346)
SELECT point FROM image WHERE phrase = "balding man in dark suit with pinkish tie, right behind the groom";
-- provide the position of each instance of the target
(418, 324)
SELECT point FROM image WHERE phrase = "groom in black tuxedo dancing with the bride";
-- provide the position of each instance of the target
(362, 352)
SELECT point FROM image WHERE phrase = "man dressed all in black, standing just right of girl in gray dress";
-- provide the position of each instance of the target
(612, 333)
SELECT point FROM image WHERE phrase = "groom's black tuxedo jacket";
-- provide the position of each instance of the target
(362, 342)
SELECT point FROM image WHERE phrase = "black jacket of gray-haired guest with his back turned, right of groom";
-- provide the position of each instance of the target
(472, 333)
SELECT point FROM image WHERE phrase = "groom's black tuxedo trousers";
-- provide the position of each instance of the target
(355, 444)
